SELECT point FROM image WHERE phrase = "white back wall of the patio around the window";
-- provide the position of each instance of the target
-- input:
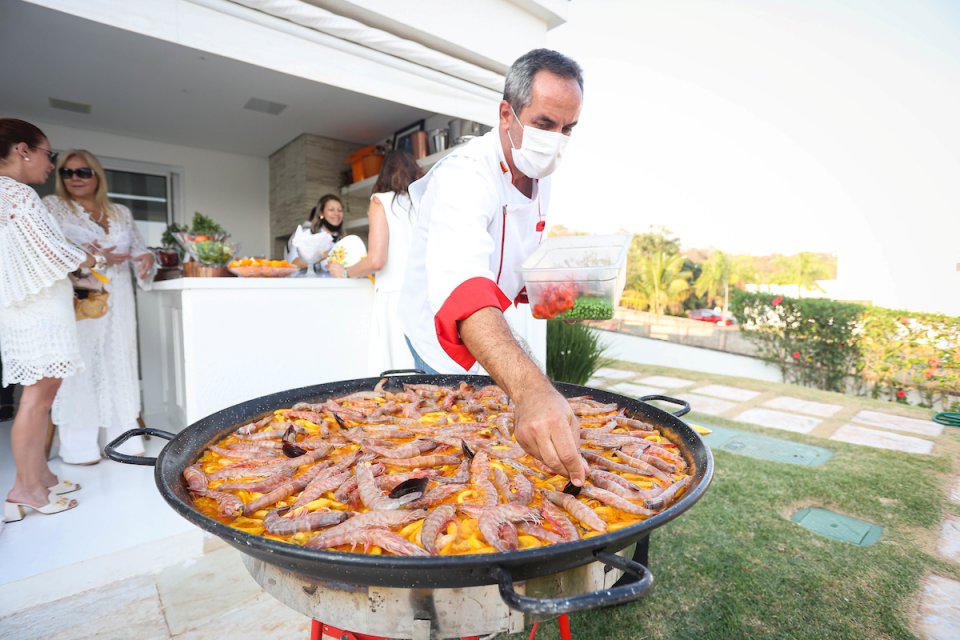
(232, 189)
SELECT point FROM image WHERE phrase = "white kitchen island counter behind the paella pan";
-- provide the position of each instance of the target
(210, 343)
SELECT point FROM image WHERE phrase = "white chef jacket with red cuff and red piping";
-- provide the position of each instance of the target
(473, 230)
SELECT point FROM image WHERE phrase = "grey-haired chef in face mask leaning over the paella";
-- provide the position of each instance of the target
(480, 212)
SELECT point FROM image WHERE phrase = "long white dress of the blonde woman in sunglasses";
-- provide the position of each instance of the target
(107, 395)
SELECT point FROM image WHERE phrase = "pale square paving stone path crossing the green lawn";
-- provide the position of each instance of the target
(938, 608)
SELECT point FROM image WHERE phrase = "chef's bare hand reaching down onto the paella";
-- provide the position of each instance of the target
(548, 430)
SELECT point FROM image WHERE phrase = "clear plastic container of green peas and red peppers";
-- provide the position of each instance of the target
(577, 277)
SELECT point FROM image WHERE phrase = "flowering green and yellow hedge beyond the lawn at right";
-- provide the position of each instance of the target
(848, 347)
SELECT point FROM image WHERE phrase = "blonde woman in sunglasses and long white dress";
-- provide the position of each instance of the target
(107, 394)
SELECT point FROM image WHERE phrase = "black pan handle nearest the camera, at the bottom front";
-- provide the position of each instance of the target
(603, 598)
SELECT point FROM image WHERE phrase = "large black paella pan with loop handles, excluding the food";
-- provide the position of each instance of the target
(501, 568)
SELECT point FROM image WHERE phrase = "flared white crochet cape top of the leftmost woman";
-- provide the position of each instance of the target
(33, 251)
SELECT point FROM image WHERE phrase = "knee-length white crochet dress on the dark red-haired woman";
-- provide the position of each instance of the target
(38, 333)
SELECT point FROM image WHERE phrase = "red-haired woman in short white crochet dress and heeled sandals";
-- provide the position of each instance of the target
(38, 332)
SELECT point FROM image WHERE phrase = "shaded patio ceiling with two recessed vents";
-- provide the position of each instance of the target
(147, 88)
